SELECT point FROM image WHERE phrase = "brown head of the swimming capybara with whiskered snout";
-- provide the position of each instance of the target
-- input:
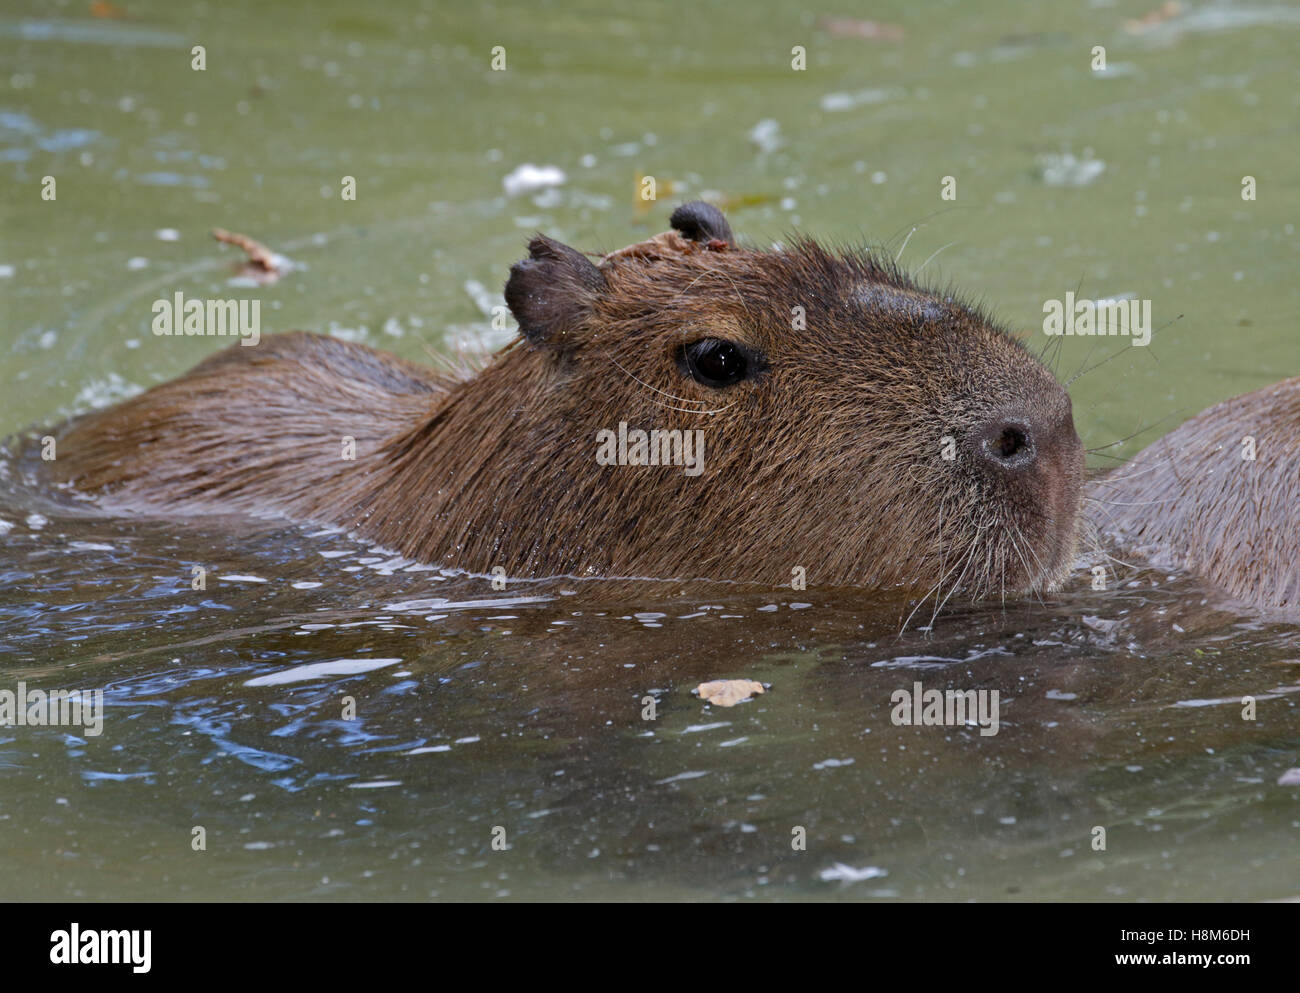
(853, 424)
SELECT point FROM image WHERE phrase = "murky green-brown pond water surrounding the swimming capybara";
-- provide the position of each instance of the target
(345, 726)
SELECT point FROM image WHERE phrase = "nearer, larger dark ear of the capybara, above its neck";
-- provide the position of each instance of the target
(552, 290)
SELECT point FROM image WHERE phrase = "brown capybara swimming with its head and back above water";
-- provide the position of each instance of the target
(801, 410)
